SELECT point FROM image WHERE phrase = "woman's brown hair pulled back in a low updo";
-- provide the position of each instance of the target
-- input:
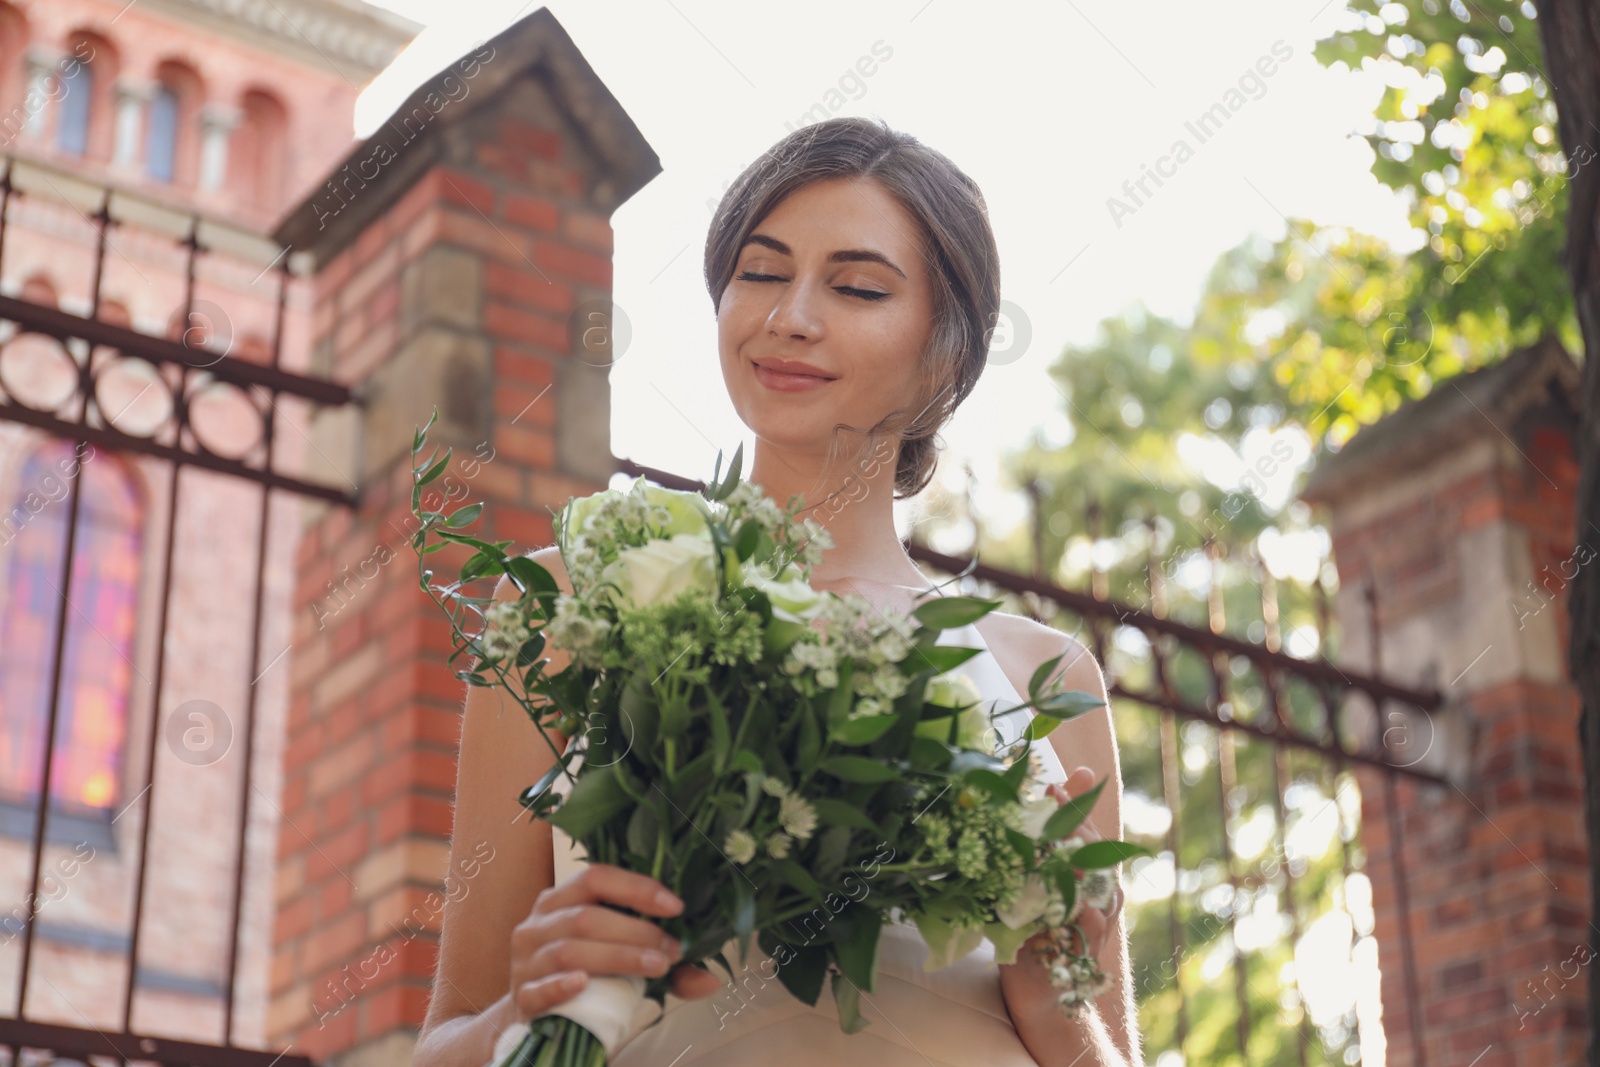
(956, 244)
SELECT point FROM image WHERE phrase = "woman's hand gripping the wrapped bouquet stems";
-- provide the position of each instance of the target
(572, 933)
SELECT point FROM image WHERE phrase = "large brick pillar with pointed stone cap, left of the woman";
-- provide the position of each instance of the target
(452, 250)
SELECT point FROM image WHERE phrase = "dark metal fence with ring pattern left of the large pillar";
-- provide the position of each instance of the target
(84, 338)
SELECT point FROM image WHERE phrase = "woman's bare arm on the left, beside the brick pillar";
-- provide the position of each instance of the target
(502, 751)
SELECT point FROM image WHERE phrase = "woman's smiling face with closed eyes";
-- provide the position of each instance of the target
(834, 278)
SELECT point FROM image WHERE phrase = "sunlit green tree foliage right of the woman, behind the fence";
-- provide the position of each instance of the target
(1321, 334)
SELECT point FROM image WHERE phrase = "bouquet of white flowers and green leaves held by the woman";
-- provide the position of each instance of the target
(753, 743)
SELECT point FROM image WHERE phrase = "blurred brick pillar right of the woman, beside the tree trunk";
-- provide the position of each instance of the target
(1457, 513)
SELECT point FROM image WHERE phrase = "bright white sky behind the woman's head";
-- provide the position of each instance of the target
(1050, 108)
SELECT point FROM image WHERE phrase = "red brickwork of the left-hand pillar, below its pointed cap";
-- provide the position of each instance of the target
(375, 709)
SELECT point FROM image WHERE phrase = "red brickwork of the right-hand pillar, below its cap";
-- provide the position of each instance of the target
(1495, 865)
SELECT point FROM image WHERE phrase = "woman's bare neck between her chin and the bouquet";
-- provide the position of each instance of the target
(852, 498)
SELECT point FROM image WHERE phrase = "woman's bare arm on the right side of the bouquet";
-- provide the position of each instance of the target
(1111, 1029)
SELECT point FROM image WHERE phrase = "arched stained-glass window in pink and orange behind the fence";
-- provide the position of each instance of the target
(98, 666)
